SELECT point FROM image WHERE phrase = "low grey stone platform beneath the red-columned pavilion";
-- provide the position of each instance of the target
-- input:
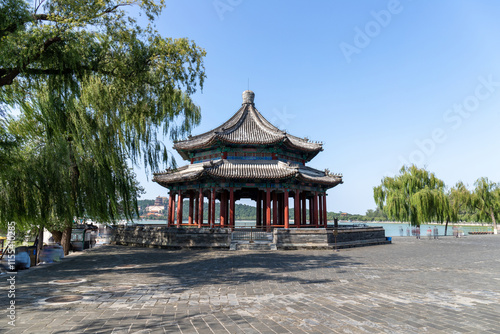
(226, 238)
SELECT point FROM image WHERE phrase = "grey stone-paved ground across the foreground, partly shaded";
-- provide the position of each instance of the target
(412, 286)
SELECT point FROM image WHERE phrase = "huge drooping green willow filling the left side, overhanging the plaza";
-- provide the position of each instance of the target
(94, 90)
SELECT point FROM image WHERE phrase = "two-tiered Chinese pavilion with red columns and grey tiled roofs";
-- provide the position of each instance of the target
(248, 157)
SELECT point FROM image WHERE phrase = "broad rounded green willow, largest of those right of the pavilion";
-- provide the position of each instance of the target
(415, 196)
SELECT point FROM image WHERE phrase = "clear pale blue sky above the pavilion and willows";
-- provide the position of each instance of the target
(381, 83)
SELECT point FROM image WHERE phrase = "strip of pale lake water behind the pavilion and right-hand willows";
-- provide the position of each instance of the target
(391, 229)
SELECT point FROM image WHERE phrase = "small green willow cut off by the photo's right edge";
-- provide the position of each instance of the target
(486, 200)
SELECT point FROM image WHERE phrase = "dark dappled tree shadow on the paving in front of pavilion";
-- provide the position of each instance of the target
(150, 271)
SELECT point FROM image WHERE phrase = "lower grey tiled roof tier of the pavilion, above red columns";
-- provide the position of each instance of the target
(243, 169)
